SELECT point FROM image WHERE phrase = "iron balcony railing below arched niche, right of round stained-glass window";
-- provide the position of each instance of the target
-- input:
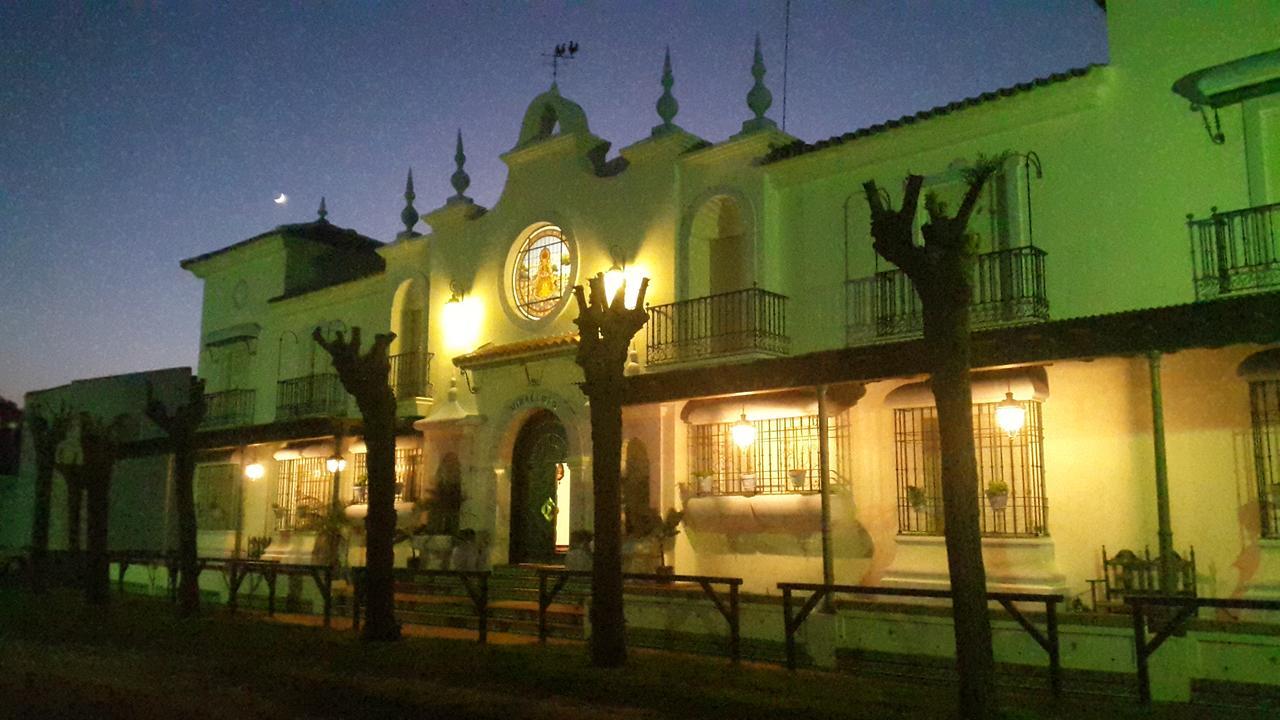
(743, 322)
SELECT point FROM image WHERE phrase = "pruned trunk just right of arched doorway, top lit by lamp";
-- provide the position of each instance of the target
(606, 329)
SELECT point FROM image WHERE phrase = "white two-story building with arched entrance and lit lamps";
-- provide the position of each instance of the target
(1124, 300)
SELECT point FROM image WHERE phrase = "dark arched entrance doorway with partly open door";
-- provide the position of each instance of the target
(538, 502)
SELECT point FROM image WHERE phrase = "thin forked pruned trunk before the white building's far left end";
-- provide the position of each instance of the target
(181, 426)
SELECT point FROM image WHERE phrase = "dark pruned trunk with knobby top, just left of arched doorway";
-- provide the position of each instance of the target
(365, 377)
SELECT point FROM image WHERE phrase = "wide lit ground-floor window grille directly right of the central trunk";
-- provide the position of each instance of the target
(781, 445)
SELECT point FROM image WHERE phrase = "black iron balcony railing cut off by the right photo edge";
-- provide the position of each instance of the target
(1235, 253)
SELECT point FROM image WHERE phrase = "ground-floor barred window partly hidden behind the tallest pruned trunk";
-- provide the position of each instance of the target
(1014, 466)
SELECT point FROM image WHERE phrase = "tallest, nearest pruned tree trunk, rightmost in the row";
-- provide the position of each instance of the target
(941, 274)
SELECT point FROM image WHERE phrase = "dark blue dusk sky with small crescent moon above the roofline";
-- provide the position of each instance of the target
(134, 135)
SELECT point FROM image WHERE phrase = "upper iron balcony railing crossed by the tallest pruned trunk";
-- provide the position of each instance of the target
(1008, 290)
